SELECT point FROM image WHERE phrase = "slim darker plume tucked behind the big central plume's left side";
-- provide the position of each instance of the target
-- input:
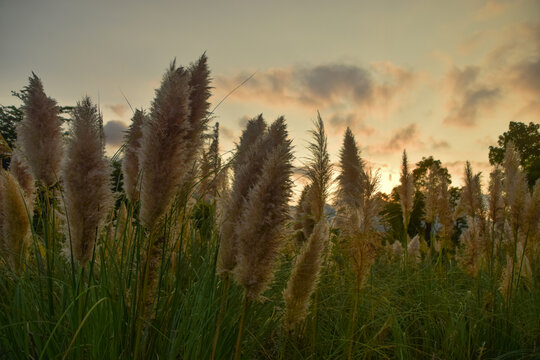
(247, 169)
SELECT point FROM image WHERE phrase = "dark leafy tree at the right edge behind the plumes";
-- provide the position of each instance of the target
(526, 139)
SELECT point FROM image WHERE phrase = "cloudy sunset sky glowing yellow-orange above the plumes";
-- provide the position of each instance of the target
(437, 78)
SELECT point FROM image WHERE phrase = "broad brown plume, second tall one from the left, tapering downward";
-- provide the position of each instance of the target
(86, 176)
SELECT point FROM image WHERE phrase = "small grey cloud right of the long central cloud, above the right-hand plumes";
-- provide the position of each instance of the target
(468, 96)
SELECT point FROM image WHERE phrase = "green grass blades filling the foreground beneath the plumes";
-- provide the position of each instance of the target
(430, 311)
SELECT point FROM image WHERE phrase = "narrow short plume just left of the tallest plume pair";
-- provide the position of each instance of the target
(130, 164)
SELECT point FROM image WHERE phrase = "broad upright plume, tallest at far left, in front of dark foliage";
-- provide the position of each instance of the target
(40, 133)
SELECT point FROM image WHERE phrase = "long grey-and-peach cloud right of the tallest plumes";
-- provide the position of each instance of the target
(334, 87)
